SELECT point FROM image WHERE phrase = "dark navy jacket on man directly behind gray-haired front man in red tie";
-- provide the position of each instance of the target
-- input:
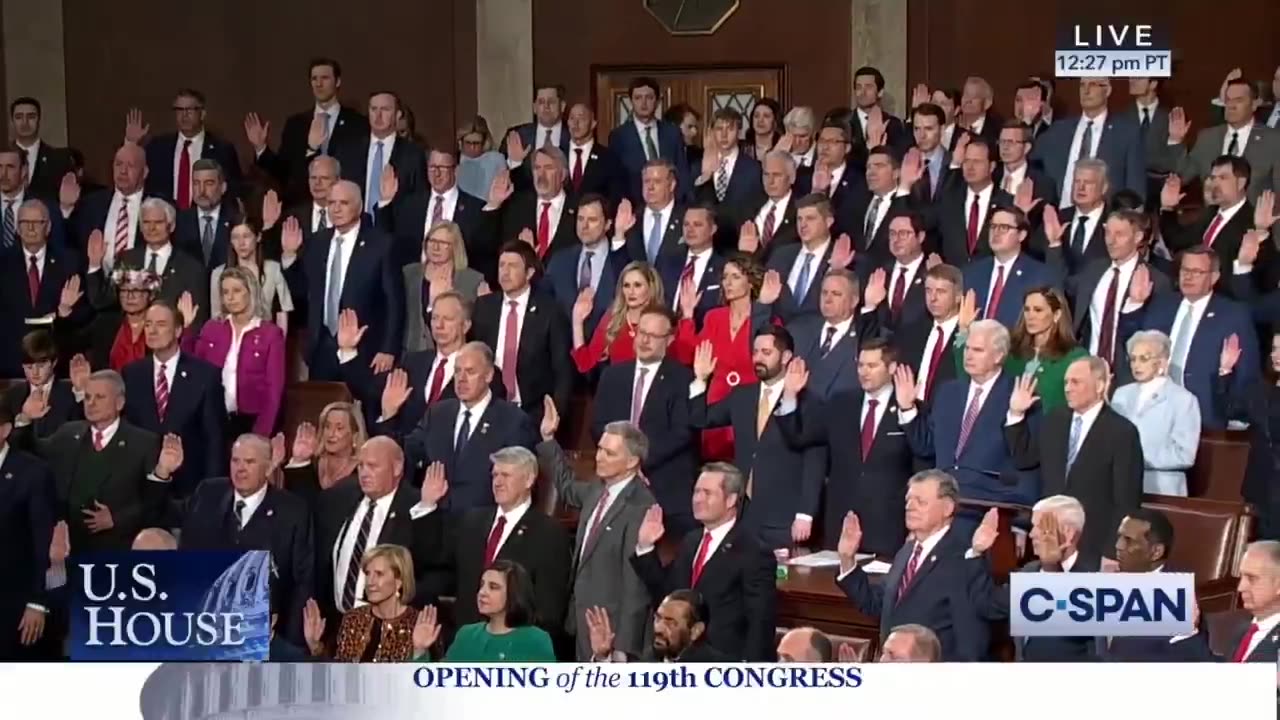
(469, 472)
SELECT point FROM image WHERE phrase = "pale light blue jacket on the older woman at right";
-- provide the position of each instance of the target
(1169, 429)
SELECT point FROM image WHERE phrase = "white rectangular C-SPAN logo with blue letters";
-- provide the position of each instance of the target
(1101, 604)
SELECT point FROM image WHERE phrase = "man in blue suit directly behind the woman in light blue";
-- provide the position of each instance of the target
(1199, 322)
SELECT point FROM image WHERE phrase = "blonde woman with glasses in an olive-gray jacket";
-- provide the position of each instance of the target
(442, 268)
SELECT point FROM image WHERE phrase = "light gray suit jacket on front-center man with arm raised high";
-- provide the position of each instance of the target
(602, 571)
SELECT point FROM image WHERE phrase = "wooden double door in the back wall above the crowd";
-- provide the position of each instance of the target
(707, 89)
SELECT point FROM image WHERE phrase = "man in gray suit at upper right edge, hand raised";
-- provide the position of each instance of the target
(1241, 136)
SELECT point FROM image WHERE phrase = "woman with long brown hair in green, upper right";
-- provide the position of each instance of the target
(1041, 345)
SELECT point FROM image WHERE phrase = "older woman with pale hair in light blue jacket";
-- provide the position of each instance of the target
(1167, 416)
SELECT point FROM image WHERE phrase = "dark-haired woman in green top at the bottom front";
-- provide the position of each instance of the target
(509, 635)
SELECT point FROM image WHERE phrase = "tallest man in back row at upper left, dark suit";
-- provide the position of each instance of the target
(309, 134)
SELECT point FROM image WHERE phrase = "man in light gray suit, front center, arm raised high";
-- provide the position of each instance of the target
(612, 507)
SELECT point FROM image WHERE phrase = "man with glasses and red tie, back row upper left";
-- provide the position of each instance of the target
(171, 157)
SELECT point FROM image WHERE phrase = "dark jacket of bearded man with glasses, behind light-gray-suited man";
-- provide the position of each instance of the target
(673, 459)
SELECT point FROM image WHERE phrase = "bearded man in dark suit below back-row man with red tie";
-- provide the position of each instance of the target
(204, 230)
